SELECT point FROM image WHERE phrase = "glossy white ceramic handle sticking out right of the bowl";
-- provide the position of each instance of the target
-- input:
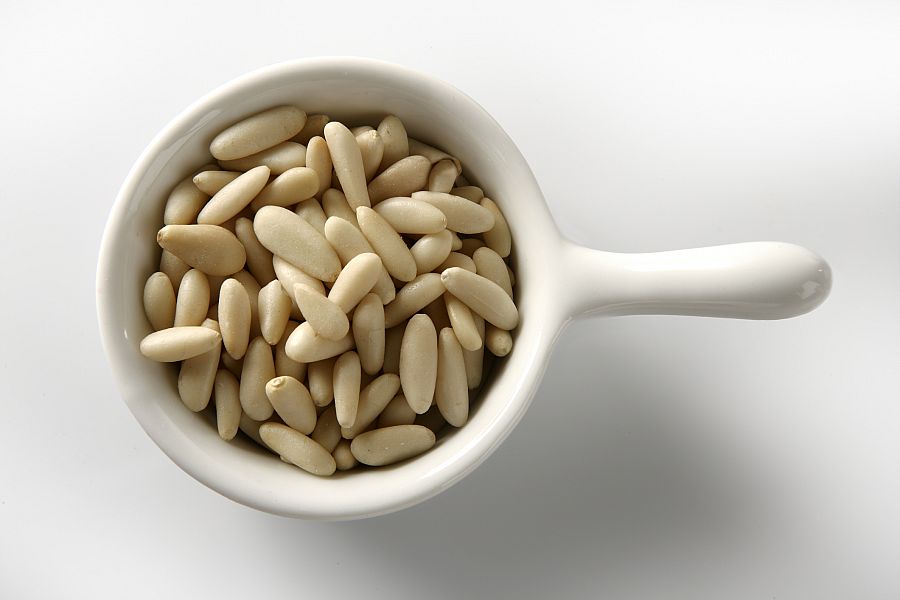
(755, 280)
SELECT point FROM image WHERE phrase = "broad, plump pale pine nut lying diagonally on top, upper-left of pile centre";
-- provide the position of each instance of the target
(292, 238)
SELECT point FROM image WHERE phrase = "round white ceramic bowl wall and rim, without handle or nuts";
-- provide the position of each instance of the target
(433, 113)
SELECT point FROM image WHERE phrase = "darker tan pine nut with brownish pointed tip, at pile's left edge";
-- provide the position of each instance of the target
(210, 248)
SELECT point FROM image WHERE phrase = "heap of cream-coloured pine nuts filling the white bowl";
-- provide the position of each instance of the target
(331, 290)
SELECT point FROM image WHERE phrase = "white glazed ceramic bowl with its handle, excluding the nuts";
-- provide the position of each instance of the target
(556, 280)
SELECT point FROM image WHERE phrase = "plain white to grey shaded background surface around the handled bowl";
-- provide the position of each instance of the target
(663, 457)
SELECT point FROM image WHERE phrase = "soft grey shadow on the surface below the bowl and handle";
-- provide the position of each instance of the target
(604, 473)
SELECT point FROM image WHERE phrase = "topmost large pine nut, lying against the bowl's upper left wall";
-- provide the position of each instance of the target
(258, 132)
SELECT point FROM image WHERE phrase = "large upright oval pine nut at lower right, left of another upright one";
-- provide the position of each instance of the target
(418, 362)
